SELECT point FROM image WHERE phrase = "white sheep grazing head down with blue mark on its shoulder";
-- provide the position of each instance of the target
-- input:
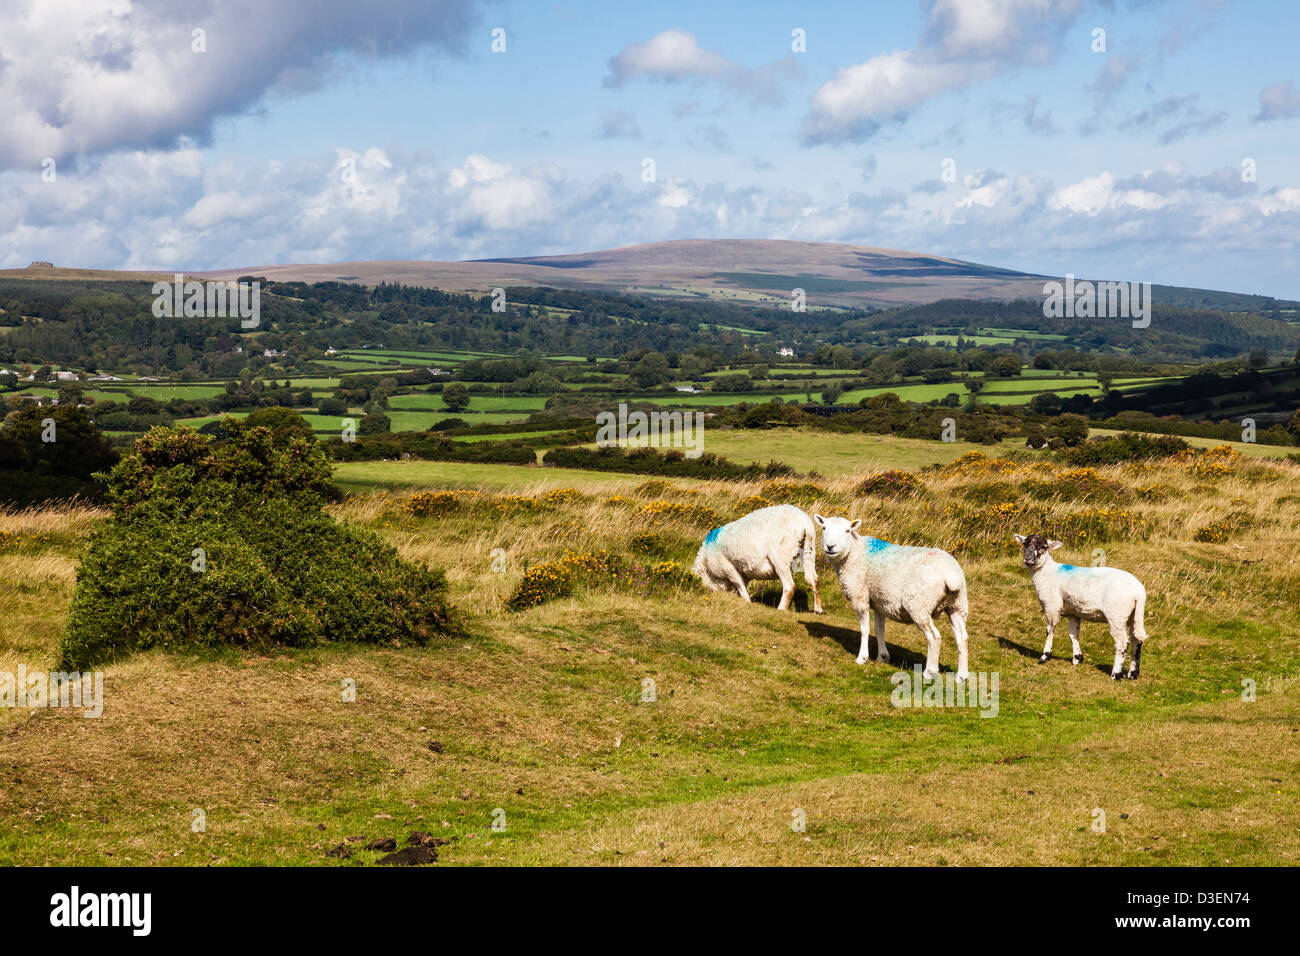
(760, 547)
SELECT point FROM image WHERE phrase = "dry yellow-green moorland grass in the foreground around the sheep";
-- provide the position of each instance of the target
(757, 713)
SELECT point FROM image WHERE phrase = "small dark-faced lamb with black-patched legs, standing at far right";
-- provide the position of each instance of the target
(1087, 594)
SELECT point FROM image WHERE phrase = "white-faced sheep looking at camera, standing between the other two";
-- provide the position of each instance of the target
(902, 583)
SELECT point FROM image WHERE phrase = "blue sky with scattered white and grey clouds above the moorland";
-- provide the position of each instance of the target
(1132, 140)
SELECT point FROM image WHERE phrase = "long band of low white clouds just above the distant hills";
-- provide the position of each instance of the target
(177, 211)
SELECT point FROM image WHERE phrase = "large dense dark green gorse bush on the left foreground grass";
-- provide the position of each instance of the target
(226, 544)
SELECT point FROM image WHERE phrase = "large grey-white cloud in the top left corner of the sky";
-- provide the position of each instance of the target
(83, 79)
